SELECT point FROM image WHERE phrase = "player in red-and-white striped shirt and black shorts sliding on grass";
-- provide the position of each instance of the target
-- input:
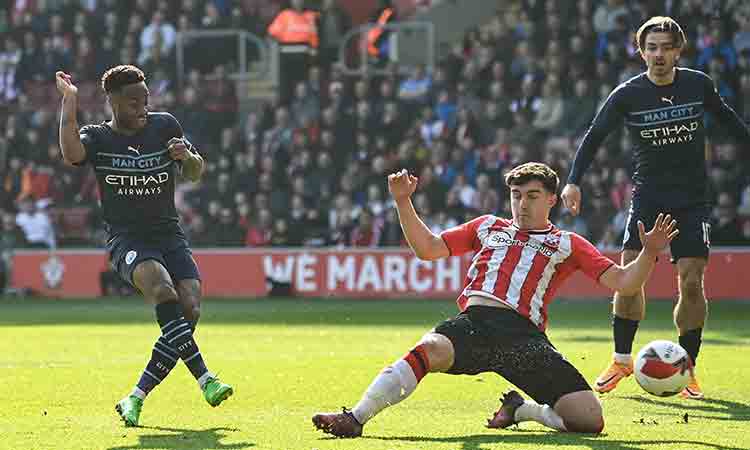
(517, 267)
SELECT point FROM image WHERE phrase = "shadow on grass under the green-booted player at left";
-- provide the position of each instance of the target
(184, 439)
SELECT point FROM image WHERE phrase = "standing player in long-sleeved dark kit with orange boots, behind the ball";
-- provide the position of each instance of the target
(663, 110)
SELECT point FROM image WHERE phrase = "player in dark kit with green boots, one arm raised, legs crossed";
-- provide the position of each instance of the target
(136, 157)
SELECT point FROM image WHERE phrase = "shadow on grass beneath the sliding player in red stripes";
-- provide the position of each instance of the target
(594, 442)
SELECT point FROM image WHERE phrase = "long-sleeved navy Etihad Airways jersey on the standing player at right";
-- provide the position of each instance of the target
(666, 126)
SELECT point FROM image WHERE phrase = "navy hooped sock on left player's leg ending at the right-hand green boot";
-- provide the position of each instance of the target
(179, 335)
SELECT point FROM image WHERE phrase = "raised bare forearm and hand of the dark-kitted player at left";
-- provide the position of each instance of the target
(70, 141)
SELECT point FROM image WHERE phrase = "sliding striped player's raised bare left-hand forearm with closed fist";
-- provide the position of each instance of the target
(425, 244)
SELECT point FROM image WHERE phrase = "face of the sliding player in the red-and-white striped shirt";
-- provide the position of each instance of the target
(531, 204)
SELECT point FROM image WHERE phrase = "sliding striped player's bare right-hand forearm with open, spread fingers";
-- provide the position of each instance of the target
(628, 280)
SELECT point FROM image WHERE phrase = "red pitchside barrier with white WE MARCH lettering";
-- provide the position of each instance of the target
(351, 273)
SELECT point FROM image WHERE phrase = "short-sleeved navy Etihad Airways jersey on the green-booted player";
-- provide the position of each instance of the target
(136, 176)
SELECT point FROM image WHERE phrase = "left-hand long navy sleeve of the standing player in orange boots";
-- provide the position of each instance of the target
(609, 117)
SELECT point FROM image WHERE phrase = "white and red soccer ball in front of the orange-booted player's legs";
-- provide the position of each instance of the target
(663, 368)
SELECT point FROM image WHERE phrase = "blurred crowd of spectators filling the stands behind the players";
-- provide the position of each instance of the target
(311, 169)
